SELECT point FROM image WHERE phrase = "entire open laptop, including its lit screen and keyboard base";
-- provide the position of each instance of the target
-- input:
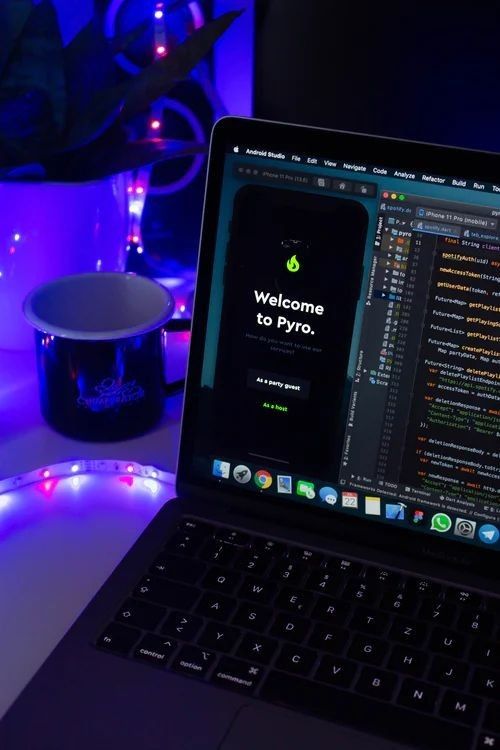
(328, 575)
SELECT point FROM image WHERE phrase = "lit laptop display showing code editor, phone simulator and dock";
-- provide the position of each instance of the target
(352, 351)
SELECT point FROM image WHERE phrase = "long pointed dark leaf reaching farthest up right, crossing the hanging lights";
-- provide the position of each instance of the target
(156, 80)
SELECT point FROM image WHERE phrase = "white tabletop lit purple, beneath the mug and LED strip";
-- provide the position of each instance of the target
(55, 555)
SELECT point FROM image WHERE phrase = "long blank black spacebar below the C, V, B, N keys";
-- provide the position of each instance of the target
(399, 724)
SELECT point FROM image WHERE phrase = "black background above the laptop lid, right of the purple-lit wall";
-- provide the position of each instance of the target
(426, 71)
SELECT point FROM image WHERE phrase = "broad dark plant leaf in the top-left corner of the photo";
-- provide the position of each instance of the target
(37, 60)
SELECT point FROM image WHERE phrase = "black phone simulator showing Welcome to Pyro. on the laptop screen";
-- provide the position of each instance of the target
(293, 273)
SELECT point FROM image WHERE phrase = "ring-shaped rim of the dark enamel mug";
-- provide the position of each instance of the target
(107, 335)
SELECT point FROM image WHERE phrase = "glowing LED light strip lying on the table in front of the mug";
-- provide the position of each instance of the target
(78, 468)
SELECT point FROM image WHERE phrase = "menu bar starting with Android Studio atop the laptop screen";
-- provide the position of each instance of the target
(367, 170)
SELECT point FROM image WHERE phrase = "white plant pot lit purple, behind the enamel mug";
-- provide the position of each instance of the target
(49, 230)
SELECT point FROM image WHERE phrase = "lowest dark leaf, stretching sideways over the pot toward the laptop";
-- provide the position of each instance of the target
(122, 157)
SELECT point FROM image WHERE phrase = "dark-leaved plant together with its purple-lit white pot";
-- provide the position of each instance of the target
(66, 145)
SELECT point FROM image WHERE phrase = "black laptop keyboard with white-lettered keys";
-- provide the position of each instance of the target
(392, 654)
